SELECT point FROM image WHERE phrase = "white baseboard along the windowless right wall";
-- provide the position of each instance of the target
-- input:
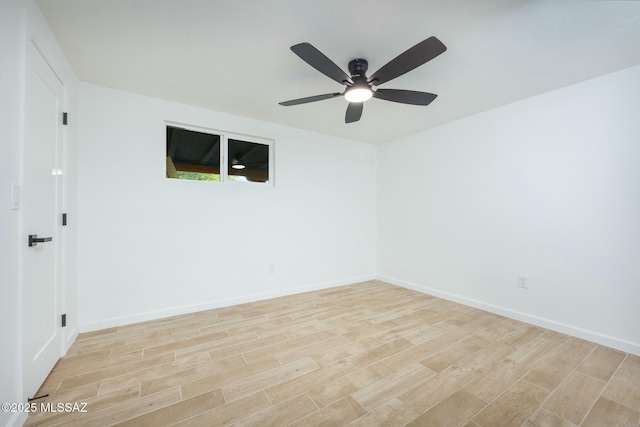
(596, 337)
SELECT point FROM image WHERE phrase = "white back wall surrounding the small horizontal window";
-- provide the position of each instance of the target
(151, 246)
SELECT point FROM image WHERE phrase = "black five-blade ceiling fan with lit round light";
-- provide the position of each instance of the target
(359, 87)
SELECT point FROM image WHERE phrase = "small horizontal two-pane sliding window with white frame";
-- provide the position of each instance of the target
(207, 155)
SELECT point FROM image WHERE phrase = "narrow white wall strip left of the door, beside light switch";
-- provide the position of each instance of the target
(12, 34)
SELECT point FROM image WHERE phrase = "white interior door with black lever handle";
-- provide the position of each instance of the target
(41, 201)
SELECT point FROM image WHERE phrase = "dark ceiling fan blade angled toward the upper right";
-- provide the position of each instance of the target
(412, 58)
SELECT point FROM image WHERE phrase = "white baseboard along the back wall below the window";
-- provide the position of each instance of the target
(209, 305)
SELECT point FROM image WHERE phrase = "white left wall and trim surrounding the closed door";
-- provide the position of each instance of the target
(20, 21)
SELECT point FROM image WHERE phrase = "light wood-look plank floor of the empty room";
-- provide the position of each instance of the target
(368, 354)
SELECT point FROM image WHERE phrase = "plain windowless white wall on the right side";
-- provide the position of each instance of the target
(548, 188)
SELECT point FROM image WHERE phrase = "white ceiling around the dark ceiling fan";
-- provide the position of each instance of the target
(233, 55)
